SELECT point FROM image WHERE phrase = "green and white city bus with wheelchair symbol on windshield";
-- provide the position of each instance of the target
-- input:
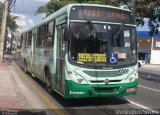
(84, 50)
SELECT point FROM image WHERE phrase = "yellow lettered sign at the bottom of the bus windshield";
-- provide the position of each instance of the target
(88, 57)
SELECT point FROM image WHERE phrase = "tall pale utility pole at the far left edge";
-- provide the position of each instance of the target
(3, 29)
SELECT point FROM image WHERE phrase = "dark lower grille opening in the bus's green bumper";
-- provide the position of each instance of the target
(106, 90)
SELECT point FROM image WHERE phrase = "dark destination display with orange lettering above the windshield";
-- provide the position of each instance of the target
(101, 14)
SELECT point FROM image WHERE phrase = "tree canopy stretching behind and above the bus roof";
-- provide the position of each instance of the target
(141, 8)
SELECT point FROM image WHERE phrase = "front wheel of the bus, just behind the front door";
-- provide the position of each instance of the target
(48, 81)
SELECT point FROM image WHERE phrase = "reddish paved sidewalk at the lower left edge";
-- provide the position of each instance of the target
(10, 95)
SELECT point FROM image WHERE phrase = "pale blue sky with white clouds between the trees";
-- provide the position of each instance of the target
(25, 10)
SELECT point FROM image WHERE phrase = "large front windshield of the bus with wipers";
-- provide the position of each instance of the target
(93, 45)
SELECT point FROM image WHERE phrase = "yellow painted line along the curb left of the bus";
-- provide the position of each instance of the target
(42, 95)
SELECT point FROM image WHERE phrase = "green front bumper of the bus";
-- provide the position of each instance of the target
(74, 90)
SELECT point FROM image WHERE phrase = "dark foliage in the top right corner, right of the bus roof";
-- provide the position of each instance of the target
(146, 9)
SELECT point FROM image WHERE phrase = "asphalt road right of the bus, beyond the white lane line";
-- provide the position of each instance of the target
(148, 94)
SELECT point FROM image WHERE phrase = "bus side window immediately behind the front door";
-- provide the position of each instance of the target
(50, 35)
